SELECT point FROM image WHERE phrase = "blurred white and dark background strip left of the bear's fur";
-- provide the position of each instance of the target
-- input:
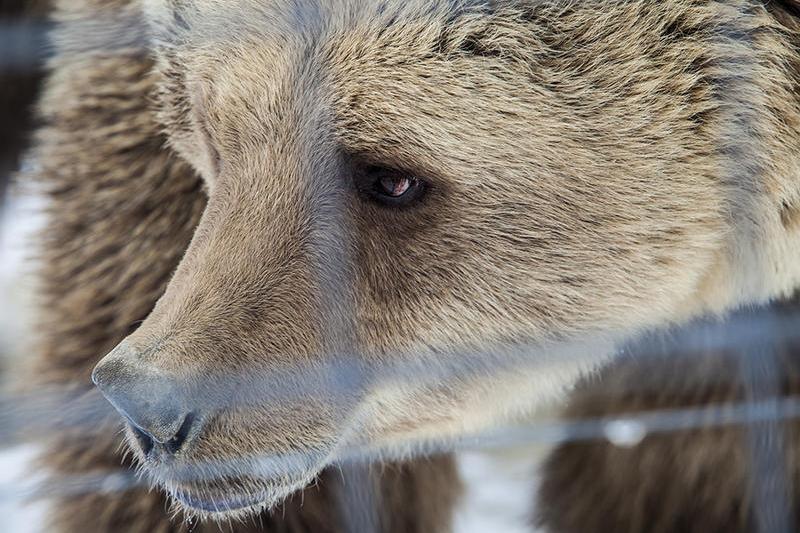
(23, 49)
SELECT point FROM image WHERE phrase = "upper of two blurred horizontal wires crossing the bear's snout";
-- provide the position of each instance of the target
(338, 378)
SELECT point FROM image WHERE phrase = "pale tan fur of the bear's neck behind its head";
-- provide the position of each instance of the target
(757, 132)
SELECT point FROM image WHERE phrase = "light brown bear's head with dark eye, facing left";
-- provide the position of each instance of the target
(393, 185)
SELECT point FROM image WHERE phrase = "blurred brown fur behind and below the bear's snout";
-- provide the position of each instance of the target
(97, 294)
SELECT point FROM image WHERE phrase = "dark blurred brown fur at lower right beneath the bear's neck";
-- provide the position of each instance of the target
(711, 478)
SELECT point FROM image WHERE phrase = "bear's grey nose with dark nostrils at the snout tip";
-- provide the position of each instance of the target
(149, 399)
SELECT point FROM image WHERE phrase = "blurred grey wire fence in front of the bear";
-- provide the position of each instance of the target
(757, 343)
